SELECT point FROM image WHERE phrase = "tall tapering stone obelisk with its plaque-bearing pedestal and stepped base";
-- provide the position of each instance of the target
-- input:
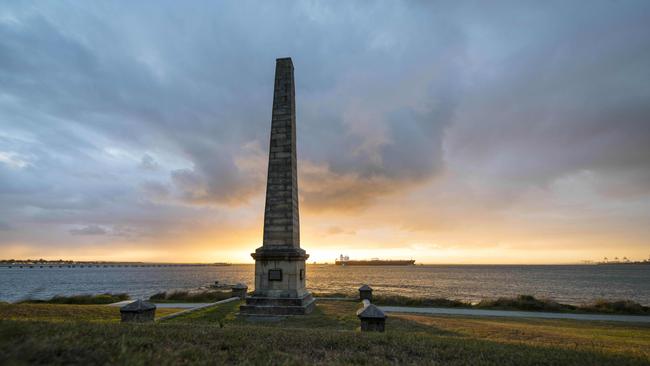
(280, 262)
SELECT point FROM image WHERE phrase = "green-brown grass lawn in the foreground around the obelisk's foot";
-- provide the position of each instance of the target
(329, 335)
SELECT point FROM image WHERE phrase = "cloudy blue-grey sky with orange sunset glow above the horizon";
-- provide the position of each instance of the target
(442, 131)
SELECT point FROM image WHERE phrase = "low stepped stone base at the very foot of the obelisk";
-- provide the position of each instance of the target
(259, 305)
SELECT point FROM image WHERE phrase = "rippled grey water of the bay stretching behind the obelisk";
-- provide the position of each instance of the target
(569, 284)
